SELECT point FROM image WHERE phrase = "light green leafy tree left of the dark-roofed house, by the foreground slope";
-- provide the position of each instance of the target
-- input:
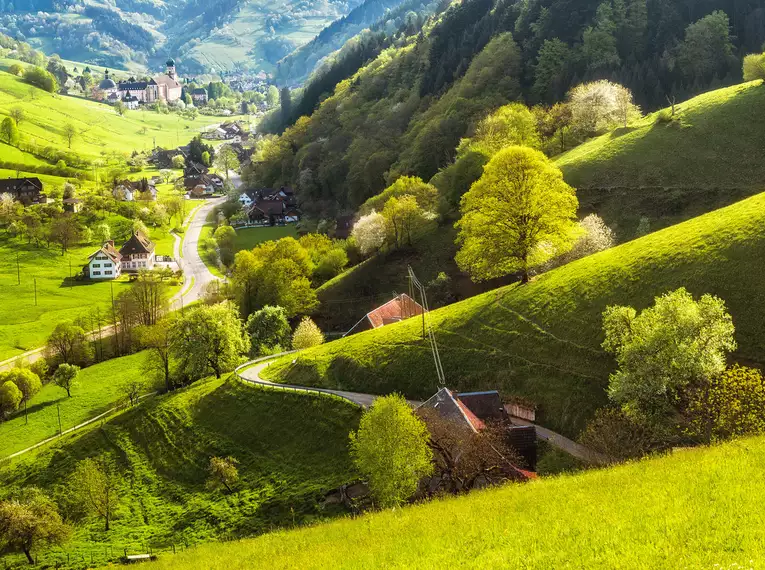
(391, 450)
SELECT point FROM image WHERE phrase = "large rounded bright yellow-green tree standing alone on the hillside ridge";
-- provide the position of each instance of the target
(516, 216)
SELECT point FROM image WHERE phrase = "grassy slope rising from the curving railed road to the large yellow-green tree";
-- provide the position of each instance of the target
(542, 340)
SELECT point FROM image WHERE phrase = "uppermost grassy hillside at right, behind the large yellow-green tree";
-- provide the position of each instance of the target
(670, 172)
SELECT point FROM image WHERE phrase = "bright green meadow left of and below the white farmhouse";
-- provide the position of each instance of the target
(25, 325)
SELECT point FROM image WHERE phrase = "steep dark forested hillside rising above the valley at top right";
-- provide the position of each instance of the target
(406, 111)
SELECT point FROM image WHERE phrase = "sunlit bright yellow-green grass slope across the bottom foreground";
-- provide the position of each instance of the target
(638, 516)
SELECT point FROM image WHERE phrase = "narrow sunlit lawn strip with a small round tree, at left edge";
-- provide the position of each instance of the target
(97, 391)
